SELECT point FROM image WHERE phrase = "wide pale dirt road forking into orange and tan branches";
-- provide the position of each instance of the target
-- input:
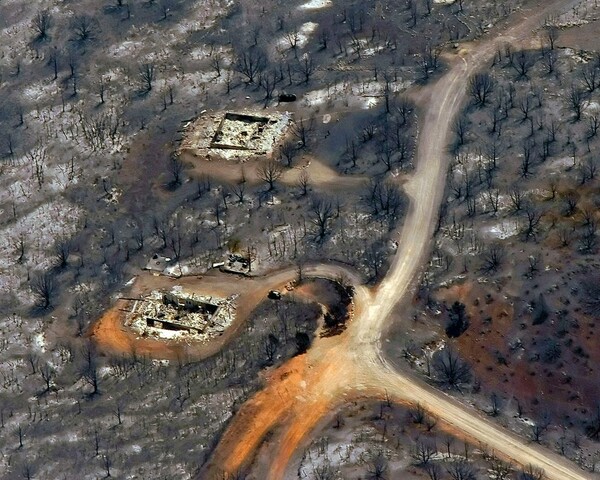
(301, 392)
